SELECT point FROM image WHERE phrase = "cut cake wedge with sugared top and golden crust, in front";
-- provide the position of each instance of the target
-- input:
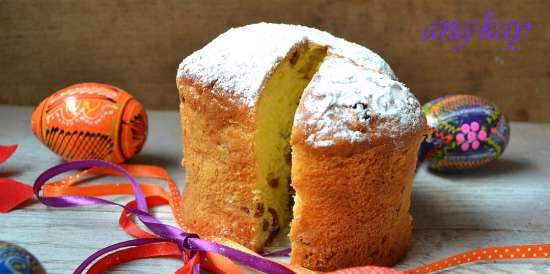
(353, 198)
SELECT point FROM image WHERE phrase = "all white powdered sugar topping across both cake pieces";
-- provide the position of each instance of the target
(353, 97)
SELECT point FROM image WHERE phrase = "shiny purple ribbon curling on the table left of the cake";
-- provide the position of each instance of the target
(167, 233)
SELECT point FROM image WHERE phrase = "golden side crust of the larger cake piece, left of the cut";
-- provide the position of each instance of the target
(218, 141)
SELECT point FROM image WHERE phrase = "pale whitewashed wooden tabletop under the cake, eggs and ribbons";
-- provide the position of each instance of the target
(506, 203)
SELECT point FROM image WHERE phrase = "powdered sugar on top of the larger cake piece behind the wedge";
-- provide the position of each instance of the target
(238, 61)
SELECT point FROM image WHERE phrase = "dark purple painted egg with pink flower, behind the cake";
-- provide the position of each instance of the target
(467, 132)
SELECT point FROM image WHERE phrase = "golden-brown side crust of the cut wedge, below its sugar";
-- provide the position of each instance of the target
(353, 203)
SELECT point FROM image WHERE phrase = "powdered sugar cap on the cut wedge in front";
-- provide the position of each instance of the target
(347, 102)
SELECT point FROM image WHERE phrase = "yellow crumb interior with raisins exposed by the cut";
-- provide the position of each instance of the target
(274, 116)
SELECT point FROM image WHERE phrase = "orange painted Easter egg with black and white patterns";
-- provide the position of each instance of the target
(91, 121)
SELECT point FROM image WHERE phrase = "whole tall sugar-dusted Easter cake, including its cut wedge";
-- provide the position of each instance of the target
(268, 109)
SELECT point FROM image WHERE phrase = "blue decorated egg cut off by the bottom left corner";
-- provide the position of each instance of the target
(16, 260)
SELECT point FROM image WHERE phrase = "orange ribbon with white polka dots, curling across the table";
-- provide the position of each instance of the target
(148, 245)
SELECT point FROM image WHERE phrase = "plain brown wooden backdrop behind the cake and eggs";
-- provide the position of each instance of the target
(137, 45)
